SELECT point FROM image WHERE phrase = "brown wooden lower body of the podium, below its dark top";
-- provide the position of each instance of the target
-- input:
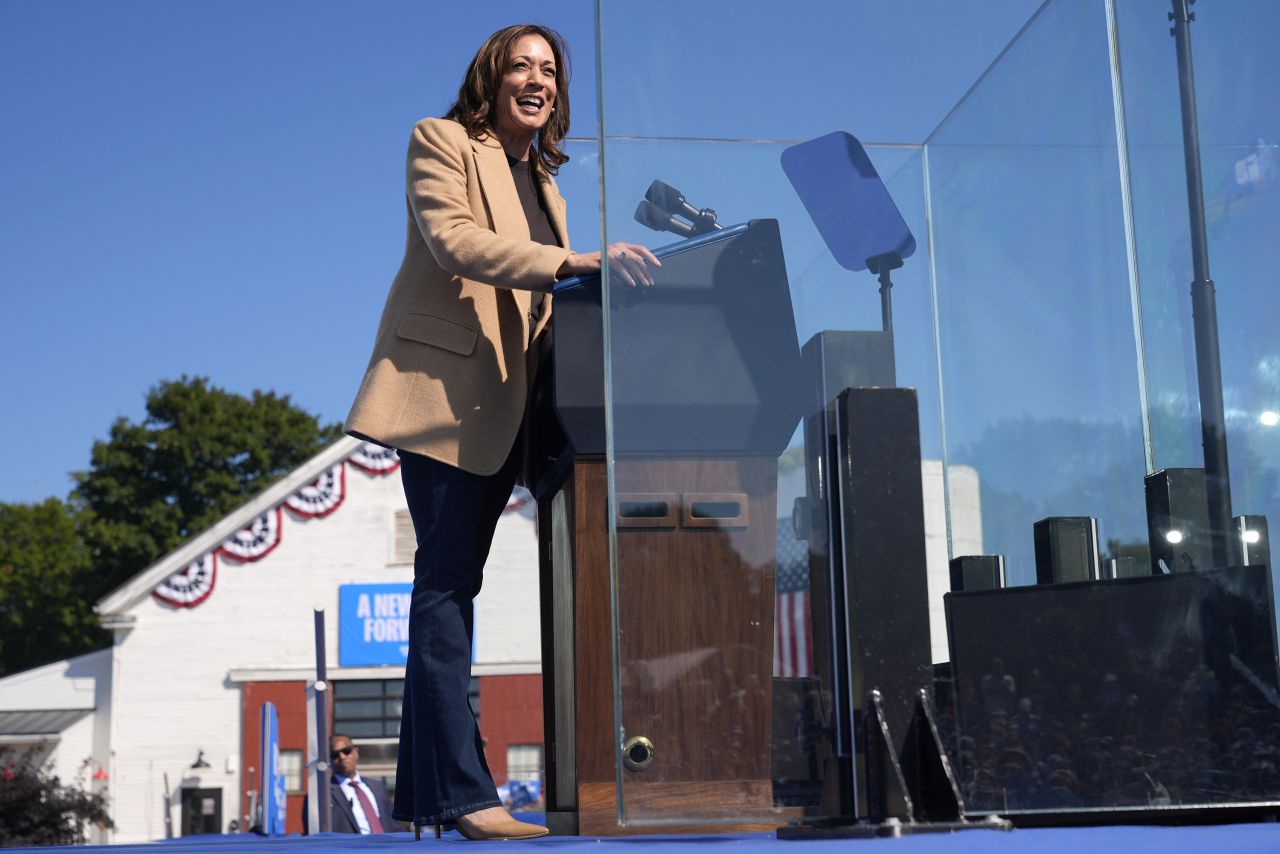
(696, 544)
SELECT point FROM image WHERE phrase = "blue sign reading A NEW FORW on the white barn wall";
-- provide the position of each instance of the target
(373, 624)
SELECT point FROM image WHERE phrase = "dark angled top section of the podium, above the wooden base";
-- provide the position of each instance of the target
(705, 363)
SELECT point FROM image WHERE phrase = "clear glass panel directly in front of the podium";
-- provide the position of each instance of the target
(723, 383)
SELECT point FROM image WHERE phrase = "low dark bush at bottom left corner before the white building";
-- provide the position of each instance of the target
(38, 810)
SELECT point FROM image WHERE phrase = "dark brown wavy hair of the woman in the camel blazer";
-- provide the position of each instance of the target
(479, 92)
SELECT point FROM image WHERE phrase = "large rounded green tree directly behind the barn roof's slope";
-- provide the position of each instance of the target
(199, 454)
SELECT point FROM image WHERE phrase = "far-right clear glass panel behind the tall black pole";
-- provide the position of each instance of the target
(1240, 133)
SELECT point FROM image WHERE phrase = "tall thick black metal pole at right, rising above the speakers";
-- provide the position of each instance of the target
(1209, 368)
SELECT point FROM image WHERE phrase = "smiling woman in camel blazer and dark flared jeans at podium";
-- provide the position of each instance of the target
(447, 385)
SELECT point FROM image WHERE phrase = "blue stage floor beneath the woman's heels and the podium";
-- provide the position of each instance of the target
(1235, 839)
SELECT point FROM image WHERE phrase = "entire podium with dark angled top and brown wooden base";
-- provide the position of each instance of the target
(705, 401)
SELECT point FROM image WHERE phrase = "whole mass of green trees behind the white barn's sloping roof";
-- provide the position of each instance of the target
(199, 454)
